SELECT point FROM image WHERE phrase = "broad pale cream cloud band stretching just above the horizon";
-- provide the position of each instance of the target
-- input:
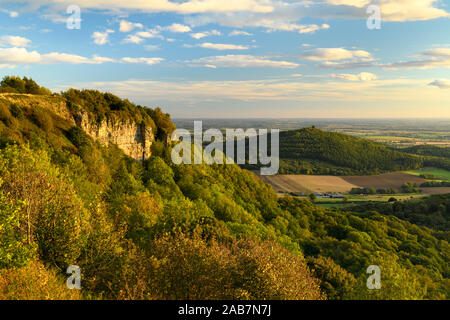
(399, 97)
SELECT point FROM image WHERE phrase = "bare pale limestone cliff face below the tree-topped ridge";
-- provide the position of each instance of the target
(134, 139)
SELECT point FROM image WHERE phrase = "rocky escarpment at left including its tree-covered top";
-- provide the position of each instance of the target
(104, 117)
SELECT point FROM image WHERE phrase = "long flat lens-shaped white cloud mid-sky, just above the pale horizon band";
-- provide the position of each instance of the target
(241, 61)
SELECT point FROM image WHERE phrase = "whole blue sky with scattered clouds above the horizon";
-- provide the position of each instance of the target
(240, 58)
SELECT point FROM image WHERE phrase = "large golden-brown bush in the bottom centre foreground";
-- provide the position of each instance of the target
(191, 268)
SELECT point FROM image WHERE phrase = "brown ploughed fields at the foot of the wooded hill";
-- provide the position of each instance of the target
(343, 184)
